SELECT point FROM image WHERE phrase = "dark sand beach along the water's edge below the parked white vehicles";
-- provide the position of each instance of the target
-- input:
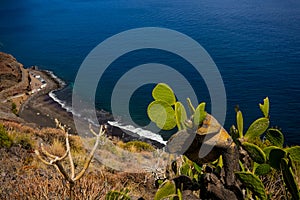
(41, 110)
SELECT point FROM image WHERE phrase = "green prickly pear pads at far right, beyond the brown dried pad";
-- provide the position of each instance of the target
(265, 154)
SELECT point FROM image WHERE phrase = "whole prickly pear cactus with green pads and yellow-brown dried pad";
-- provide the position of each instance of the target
(167, 113)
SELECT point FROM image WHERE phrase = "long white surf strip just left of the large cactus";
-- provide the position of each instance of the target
(141, 132)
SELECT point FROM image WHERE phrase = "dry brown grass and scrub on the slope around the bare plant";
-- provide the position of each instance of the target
(23, 176)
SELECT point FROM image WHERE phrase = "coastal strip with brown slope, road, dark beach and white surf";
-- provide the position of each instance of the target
(27, 97)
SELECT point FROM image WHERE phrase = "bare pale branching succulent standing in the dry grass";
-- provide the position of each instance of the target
(56, 161)
